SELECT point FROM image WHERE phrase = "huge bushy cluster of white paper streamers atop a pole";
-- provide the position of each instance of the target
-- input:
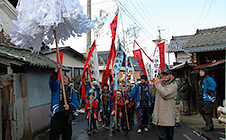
(37, 19)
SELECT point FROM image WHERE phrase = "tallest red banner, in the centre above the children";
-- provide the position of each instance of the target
(112, 52)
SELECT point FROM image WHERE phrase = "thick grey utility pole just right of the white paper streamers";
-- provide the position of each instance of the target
(88, 39)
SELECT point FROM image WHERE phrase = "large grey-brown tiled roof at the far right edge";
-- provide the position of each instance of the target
(215, 38)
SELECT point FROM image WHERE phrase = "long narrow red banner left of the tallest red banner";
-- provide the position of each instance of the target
(84, 69)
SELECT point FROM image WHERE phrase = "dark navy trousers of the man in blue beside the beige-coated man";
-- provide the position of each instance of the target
(143, 116)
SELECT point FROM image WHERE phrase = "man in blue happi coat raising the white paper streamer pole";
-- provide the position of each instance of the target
(61, 114)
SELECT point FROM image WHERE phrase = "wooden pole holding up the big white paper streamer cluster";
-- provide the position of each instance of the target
(62, 81)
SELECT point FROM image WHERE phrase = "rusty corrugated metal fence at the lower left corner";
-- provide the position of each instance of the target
(14, 110)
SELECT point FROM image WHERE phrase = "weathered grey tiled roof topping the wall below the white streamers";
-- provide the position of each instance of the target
(26, 56)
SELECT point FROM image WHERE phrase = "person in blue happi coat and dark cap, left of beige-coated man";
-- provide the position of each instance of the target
(143, 99)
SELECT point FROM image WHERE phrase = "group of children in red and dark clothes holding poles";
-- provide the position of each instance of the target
(108, 104)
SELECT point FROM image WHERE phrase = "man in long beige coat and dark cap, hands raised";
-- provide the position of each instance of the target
(164, 91)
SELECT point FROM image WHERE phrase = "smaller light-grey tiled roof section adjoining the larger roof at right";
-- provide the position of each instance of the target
(177, 43)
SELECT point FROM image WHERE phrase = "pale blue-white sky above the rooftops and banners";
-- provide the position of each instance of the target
(174, 17)
